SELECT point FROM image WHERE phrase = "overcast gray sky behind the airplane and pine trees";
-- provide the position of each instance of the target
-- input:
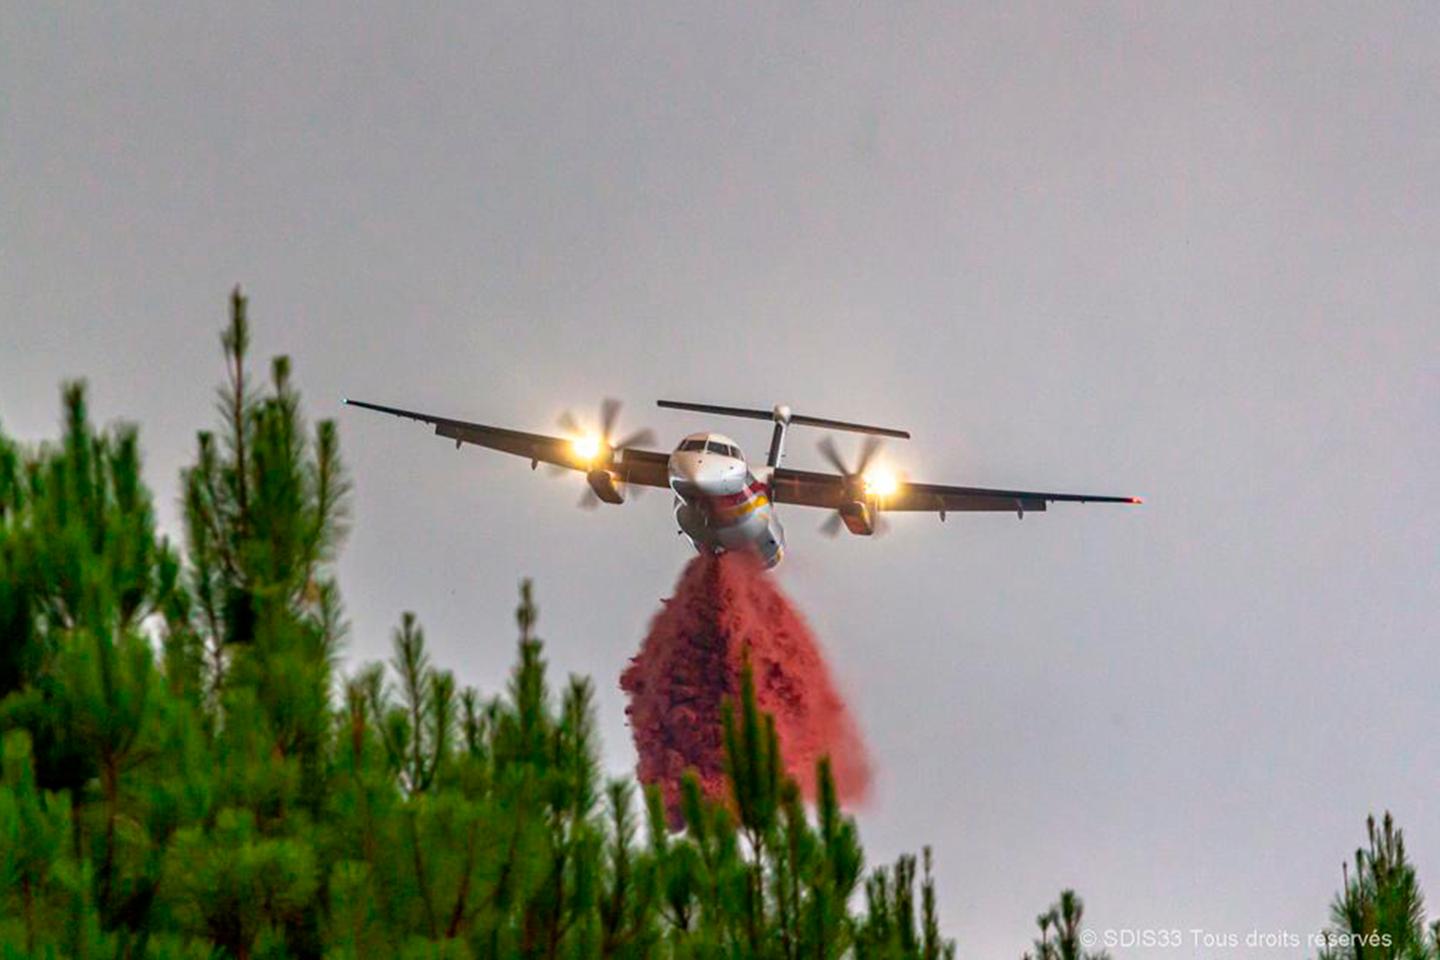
(1187, 251)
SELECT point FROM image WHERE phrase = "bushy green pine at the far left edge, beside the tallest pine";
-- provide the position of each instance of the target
(90, 587)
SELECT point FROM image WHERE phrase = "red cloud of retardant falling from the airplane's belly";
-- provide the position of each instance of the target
(728, 611)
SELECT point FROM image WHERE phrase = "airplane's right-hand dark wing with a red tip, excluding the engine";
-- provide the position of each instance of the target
(829, 490)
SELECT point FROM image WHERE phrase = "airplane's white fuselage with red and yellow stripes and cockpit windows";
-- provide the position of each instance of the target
(719, 502)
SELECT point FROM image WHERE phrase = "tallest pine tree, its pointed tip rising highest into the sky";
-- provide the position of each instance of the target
(266, 512)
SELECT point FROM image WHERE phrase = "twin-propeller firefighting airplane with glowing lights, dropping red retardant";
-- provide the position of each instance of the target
(722, 503)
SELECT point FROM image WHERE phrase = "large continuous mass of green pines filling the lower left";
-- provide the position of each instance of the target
(185, 775)
